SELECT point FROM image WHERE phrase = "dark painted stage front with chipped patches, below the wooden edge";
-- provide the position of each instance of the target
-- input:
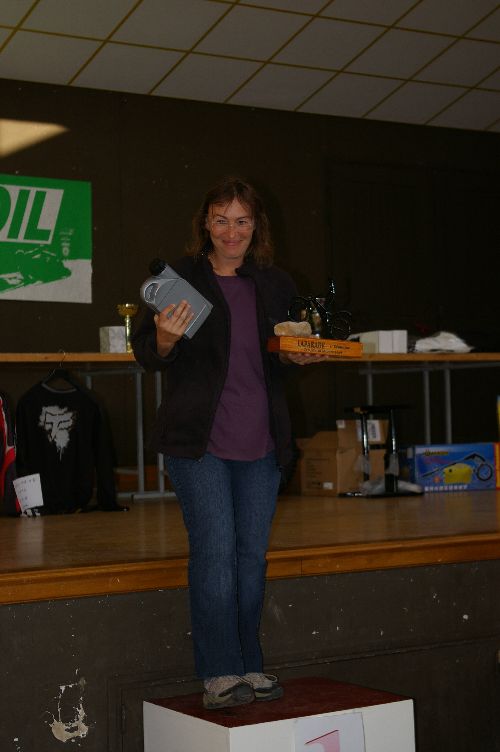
(429, 633)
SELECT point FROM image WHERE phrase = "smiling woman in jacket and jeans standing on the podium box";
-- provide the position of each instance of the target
(224, 428)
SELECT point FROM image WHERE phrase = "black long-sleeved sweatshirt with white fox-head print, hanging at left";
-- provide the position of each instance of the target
(62, 434)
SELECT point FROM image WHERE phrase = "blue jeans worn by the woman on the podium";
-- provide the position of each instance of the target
(228, 507)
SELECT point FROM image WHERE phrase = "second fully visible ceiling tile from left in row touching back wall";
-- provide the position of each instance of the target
(207, 78)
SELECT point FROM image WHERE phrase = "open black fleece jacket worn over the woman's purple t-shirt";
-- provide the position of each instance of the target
(196, 368)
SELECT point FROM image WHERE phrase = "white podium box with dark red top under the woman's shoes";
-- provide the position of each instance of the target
(315, 715)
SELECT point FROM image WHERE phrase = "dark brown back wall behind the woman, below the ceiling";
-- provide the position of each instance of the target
(403, 216)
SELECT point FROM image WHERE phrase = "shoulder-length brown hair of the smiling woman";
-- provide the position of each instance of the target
(225, 192)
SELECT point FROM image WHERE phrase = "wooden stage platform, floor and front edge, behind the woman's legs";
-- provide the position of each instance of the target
(101, 553)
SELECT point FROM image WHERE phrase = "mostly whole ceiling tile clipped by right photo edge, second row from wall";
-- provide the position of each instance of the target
(465, 63)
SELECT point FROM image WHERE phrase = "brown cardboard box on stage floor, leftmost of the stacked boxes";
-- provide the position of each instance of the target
(319, 465)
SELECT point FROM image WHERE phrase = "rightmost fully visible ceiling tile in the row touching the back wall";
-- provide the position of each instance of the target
(416, 103)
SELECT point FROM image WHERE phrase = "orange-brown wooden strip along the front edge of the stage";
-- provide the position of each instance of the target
(111, 579)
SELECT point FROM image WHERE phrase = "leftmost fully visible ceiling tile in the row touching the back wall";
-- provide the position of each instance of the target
(120, 68)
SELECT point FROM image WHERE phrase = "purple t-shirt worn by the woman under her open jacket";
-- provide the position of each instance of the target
(240, 429)
